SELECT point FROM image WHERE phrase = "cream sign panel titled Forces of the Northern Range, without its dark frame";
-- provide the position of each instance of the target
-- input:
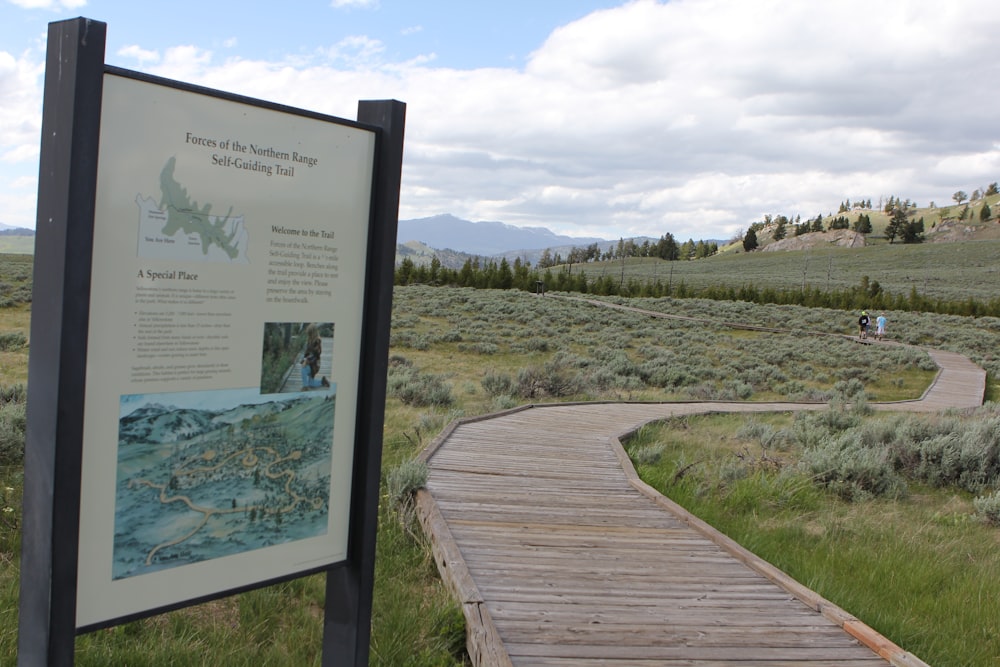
(227, 298)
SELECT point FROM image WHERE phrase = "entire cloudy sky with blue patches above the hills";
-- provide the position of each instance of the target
(601, 118)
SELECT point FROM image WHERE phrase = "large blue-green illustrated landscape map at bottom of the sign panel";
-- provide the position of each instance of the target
(203, 475)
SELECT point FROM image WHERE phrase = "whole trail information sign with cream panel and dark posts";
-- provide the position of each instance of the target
(218, 430)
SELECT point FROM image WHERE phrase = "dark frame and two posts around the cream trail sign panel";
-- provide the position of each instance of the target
(68, 190)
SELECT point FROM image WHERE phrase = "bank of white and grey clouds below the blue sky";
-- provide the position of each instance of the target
(689, 116)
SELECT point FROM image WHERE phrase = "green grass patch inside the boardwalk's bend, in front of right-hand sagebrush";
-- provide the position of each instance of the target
(920, 570)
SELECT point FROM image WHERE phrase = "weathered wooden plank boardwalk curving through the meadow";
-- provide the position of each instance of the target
(560, 555)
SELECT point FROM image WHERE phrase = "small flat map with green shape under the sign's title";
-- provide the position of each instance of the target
(178, 228)
